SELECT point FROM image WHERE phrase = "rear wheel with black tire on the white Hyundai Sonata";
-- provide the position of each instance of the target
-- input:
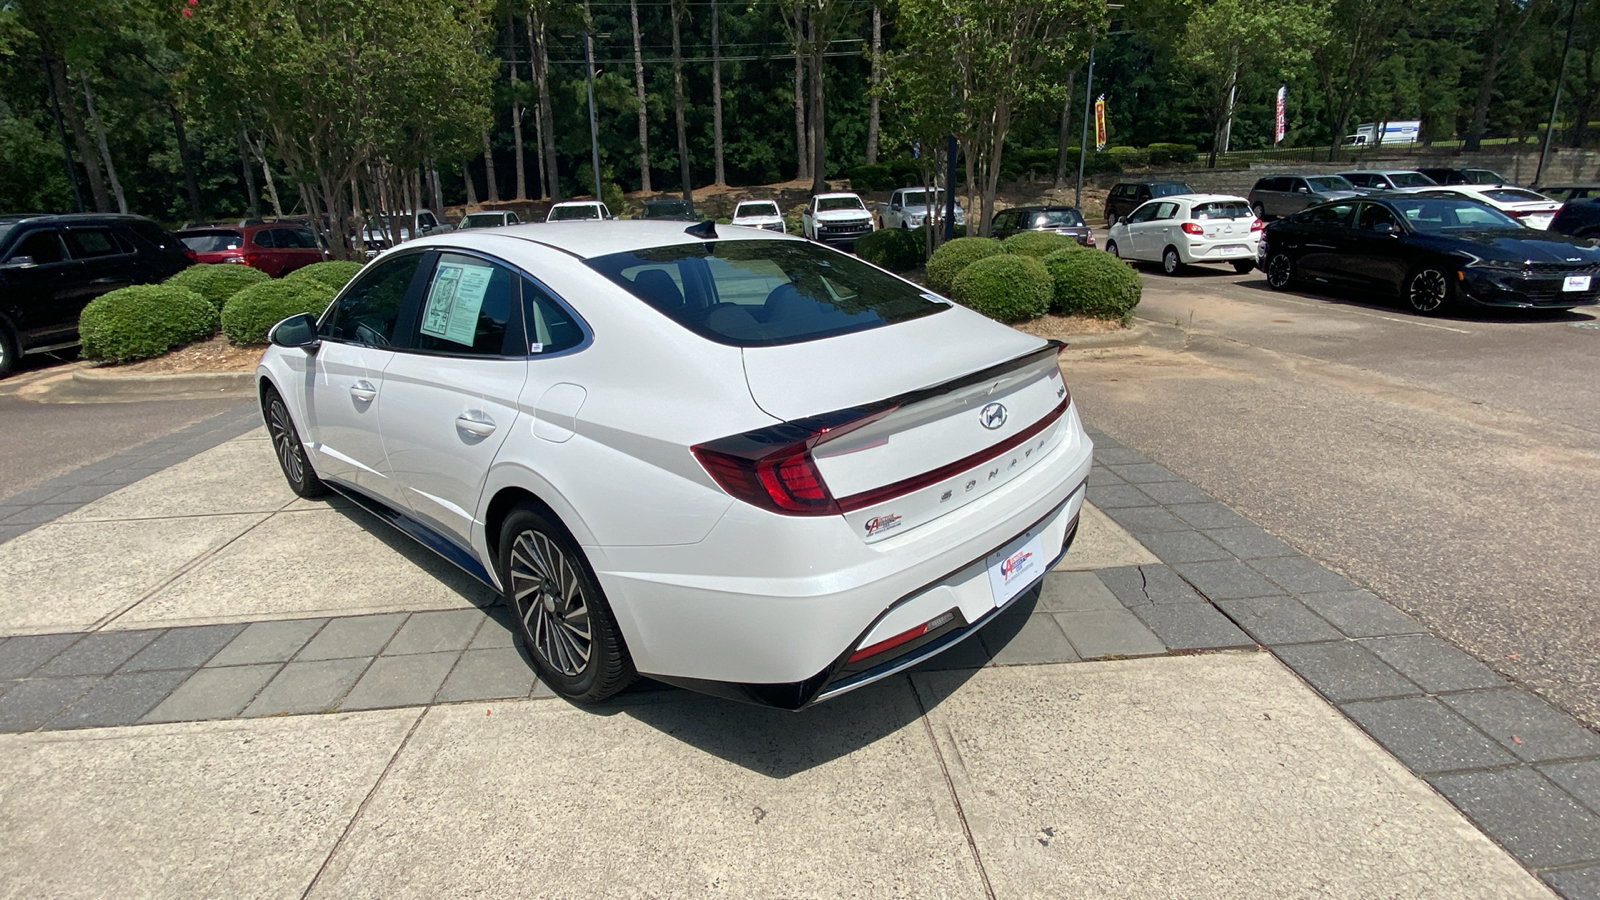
(562, 614)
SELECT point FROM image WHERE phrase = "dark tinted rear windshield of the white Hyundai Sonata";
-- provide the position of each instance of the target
(753, 294)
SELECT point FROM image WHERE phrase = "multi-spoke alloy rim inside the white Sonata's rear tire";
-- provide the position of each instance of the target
(551, 603)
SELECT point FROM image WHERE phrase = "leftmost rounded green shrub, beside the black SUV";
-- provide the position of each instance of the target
(145, 321)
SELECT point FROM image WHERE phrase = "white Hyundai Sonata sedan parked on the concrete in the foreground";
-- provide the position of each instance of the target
(742, 464)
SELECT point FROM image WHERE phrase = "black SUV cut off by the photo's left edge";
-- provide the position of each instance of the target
(54, 267)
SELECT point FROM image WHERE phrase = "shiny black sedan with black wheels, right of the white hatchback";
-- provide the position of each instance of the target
(1431, 254)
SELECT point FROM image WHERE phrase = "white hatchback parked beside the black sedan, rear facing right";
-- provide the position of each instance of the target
(1188, 230)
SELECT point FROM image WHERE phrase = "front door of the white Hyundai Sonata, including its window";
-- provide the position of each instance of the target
(346, 377)
